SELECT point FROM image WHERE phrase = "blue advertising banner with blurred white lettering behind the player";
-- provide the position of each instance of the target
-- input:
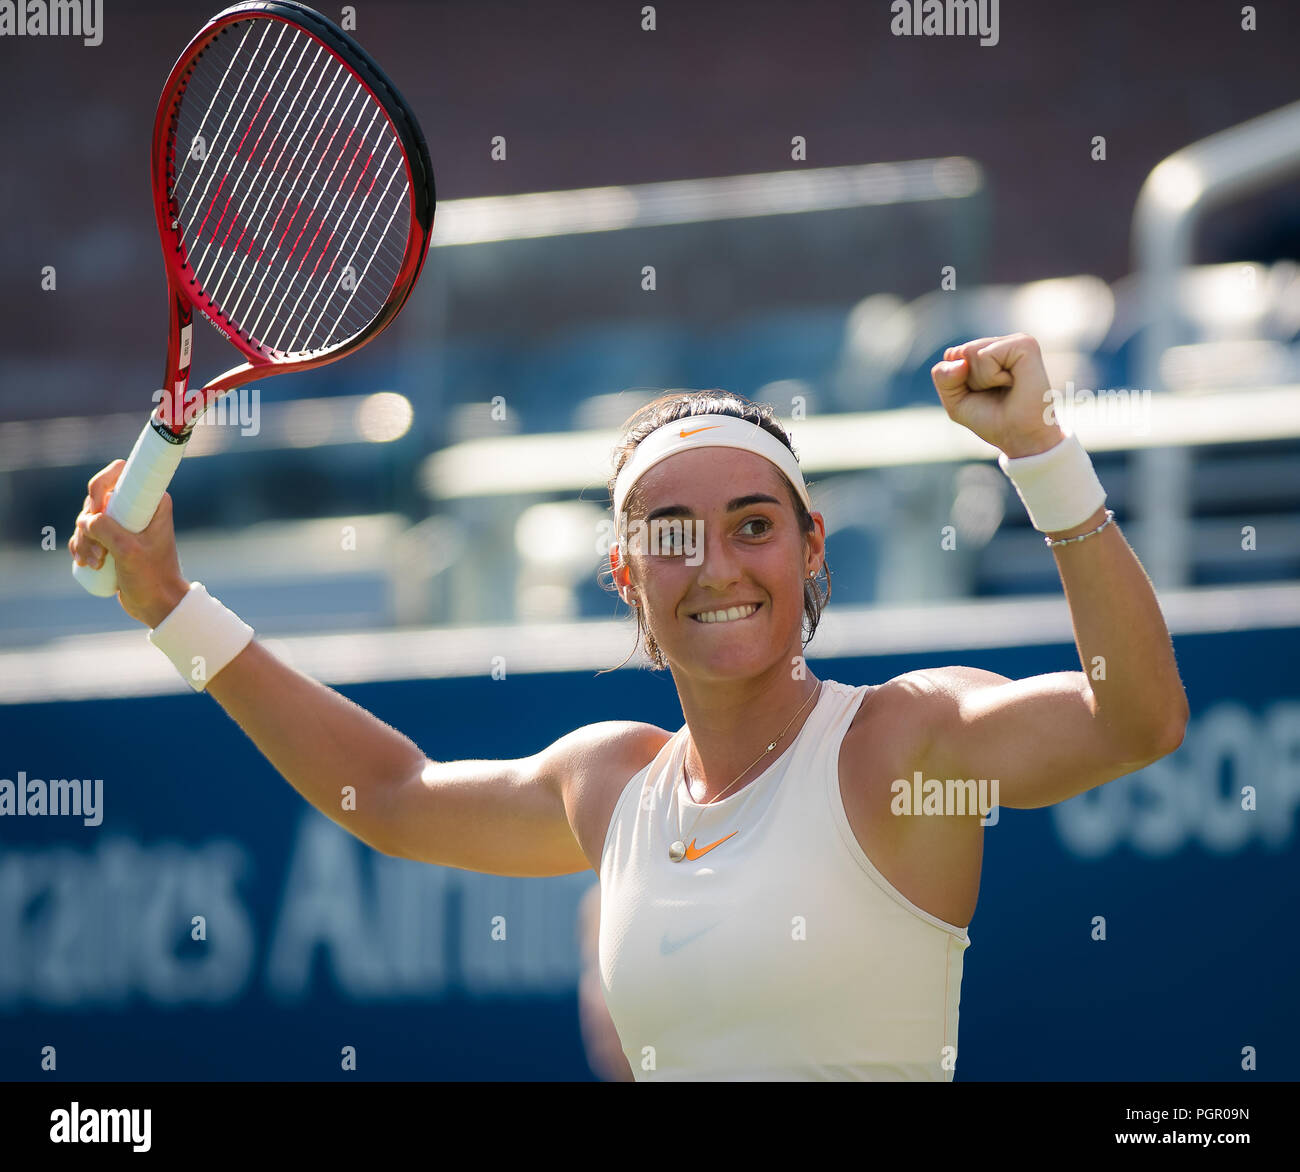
(194, 919)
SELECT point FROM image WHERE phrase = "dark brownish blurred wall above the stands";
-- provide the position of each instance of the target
(586, 98)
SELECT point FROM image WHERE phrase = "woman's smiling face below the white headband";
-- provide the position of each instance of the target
(733, 605)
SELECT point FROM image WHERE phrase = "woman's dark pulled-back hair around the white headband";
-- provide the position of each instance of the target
(683, 405)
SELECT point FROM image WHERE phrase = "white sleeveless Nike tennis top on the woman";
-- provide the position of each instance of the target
(782, 953)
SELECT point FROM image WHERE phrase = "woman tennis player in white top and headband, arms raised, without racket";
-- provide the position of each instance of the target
(787, 880)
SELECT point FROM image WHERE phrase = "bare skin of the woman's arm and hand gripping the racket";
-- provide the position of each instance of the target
(504, 818)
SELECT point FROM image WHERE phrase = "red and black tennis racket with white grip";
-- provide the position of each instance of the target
(294, 199)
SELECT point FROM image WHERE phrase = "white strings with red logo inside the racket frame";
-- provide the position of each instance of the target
(294, 212)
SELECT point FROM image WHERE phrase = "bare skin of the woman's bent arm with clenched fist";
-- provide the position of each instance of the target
(1051, 737)
